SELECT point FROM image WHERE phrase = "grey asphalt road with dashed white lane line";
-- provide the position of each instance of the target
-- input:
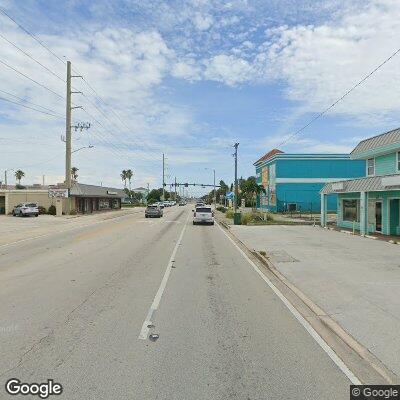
(75, 307)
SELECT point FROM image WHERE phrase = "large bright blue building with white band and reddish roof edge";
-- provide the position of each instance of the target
(292, 181)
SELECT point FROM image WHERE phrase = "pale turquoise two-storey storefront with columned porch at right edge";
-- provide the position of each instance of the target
(370, 204)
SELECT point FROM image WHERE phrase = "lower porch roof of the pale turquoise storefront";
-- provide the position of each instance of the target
(369, 184)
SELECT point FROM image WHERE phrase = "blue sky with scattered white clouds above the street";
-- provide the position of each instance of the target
(189, 78)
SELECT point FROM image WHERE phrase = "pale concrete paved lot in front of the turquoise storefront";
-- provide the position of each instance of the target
(353, 279)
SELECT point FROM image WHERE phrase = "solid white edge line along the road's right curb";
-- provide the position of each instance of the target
(313, 333)
